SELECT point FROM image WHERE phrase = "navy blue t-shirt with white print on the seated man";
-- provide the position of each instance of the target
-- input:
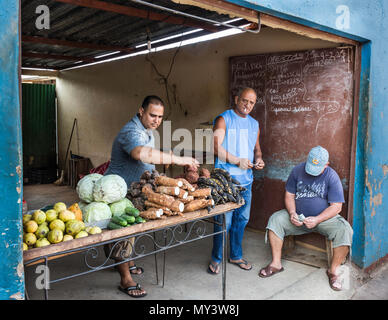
(314, 194)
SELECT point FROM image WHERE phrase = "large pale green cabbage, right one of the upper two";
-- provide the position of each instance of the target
(110, 188)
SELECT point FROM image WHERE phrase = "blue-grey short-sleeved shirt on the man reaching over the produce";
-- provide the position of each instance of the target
(132, 135)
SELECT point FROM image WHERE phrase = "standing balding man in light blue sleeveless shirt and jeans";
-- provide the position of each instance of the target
(237, 150)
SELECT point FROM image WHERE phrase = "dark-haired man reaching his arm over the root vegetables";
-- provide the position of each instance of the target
(133, 152)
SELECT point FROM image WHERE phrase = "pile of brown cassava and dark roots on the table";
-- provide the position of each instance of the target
(157, 196)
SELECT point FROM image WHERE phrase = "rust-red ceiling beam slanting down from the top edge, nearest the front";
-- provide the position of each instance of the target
(140, 13)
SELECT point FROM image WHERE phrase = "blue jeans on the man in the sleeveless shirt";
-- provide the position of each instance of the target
(236, 221)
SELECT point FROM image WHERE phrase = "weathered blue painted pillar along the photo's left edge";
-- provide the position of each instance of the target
(11, 254)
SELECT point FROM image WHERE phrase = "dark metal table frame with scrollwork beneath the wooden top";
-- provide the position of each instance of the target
(197, 231)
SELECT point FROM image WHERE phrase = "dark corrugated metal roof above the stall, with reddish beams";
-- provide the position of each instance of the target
(81, 33)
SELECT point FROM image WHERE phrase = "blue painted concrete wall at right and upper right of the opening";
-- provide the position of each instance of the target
(364, 21)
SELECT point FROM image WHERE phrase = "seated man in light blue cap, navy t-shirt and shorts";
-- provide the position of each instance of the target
(313, 201)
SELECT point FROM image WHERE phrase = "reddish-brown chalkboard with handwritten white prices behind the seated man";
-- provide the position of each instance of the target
(304, 99)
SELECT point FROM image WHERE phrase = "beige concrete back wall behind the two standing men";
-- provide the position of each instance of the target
(104, 97)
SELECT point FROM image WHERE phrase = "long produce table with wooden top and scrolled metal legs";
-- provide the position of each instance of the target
(170, 226)
